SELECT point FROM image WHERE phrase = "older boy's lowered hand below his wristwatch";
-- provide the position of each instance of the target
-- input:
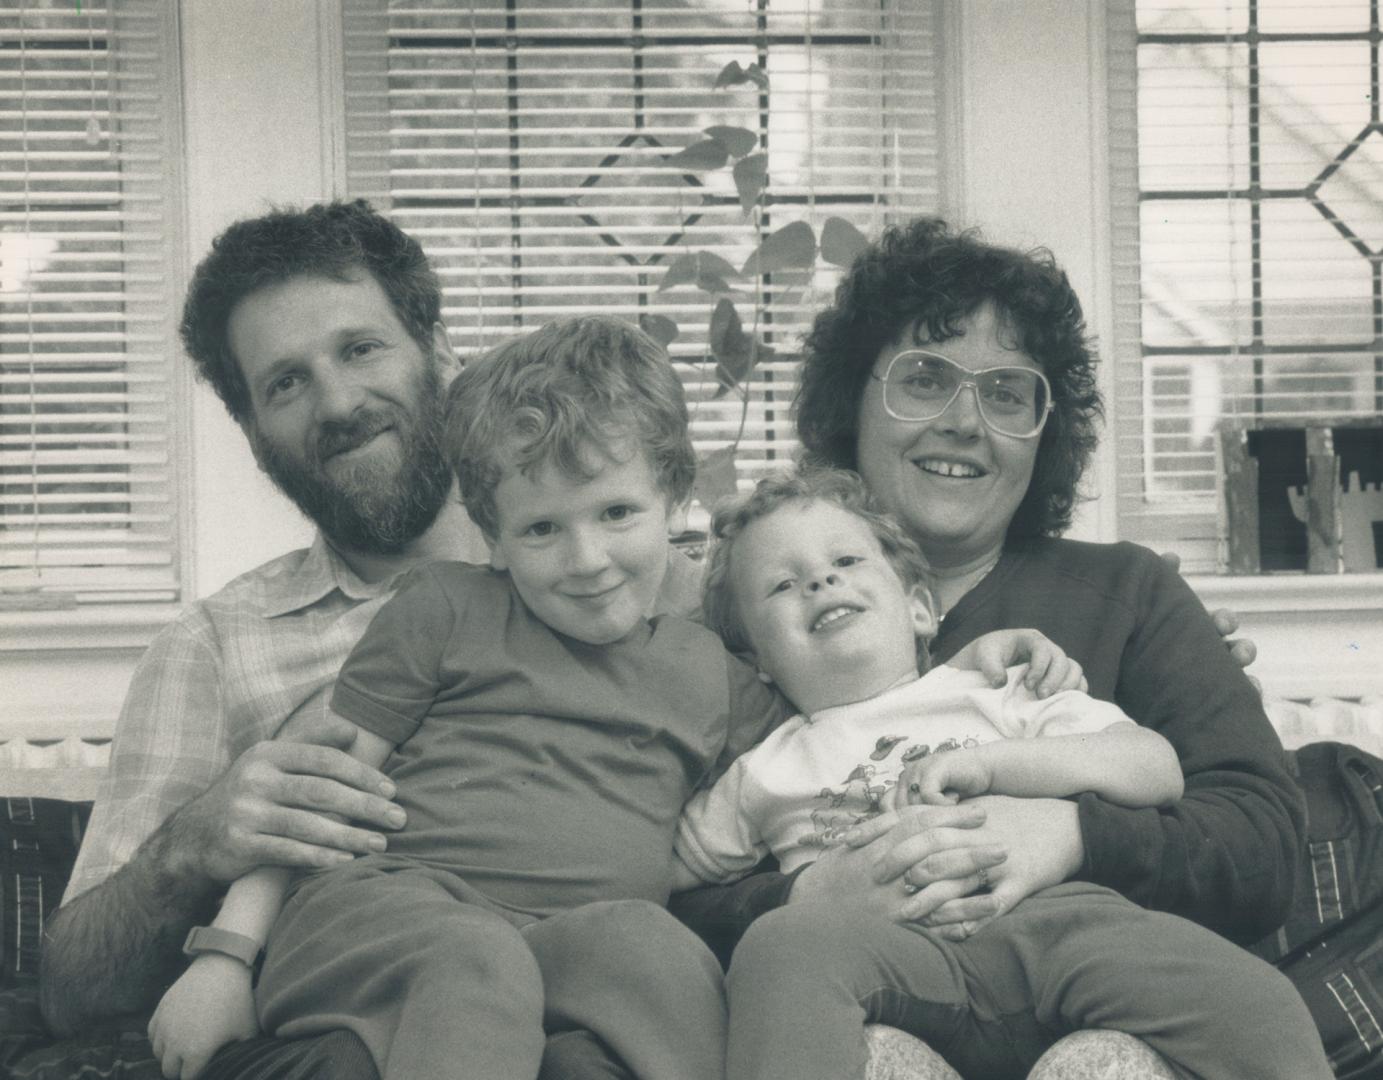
(210, 1006)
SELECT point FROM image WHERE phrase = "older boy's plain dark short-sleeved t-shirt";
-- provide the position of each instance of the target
(544, 771)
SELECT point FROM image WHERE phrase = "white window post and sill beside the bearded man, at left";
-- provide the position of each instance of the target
(66, 673)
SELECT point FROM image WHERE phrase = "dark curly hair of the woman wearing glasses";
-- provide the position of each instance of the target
(926, 280)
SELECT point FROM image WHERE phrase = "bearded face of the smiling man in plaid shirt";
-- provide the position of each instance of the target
(346, 409)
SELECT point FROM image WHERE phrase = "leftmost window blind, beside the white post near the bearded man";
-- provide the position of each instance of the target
(88, 182)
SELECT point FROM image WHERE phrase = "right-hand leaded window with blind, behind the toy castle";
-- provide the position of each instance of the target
(1248, 205)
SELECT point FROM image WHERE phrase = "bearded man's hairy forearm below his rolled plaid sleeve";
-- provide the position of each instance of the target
(115, 949)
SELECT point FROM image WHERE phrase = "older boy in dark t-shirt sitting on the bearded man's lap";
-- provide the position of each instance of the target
(543, 735)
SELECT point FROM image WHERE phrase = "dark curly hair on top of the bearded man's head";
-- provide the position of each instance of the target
(340, 241)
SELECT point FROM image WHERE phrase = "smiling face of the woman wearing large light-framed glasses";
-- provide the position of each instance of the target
(952, 482)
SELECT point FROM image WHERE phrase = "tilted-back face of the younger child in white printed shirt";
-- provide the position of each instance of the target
(824, 609)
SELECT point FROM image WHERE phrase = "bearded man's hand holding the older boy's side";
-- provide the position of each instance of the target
(279, 804)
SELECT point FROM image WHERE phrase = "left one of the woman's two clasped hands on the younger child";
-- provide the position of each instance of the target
(931, 846)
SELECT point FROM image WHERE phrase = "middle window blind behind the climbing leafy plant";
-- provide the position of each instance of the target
(526, 145)
